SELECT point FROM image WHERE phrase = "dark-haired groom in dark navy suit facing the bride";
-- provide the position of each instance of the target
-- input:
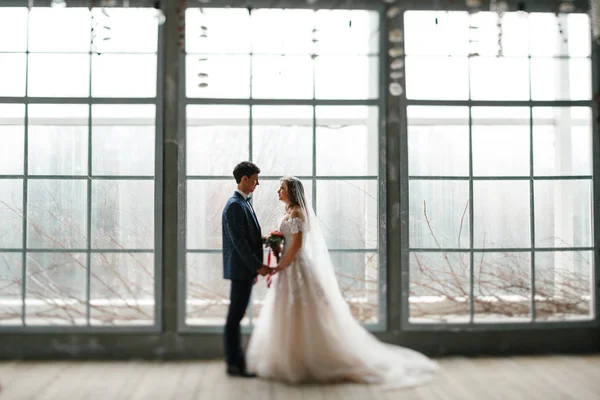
(242, 261)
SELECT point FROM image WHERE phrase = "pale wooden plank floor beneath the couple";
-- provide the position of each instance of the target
(549, 377)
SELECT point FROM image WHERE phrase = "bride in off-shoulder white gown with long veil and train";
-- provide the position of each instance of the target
(305, 331)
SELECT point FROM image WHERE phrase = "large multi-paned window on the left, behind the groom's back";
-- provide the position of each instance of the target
(78, 106)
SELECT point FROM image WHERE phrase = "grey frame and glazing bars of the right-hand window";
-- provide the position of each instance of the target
(405, 179)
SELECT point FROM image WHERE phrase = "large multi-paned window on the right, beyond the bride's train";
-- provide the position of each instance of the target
(499, 166)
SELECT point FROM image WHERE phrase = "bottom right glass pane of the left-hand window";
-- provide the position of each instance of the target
(122, 289)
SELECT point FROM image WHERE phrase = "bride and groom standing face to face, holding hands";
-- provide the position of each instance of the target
(305, 331)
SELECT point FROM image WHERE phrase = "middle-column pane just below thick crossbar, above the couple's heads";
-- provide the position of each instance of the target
(282, 139)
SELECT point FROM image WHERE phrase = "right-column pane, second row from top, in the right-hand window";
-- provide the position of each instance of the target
(555, 79)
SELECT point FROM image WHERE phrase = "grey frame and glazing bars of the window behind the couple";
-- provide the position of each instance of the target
(380, 102)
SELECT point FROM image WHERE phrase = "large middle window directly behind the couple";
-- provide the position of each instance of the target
(296, 92)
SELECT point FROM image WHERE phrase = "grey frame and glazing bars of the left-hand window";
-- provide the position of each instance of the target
(89, 178)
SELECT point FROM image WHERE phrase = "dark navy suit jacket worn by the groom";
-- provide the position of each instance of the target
(242, 240)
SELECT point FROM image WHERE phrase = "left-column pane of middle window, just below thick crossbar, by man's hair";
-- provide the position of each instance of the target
(217, 139)
